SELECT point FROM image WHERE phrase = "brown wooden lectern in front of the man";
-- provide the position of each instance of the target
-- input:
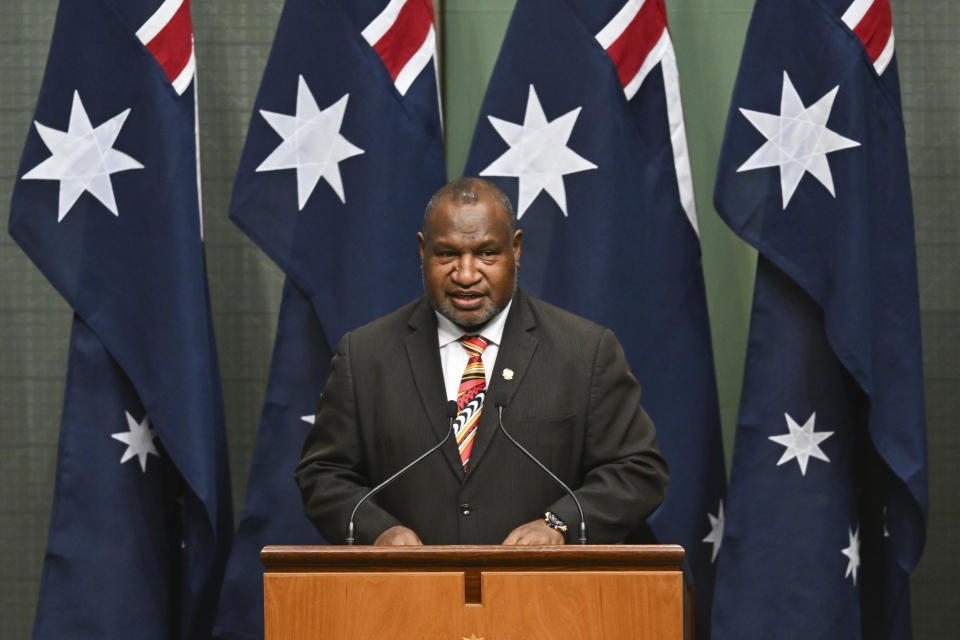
(473, 592)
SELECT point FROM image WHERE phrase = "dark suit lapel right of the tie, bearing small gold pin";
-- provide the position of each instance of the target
(516, 349)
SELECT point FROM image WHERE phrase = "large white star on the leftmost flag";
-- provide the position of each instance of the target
(83, 158)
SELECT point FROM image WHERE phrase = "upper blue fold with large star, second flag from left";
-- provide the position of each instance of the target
(338, 164)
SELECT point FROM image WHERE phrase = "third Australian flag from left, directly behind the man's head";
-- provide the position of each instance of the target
(582, 126)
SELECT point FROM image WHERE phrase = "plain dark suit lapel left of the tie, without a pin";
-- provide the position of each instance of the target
(424, 357)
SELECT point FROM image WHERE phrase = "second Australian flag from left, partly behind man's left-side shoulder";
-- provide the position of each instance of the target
(344, 151)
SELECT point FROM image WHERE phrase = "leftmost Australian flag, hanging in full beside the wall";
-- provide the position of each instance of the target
(107, 205)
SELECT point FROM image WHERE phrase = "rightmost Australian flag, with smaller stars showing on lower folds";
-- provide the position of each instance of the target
(828, 496)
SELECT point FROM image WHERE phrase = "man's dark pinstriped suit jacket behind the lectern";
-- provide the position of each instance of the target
(572, 402)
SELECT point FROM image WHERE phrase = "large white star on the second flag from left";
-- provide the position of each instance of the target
(312, 143)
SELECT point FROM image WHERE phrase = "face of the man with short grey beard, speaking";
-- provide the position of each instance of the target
(469, 260)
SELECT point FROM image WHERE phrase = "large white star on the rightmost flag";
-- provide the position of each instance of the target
(798, 140)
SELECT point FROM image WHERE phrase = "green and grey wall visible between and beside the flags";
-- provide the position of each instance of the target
(233, 38)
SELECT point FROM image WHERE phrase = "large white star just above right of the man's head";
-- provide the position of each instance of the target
(538, 154)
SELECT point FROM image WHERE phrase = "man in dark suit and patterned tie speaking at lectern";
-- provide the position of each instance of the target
(563, 383)
